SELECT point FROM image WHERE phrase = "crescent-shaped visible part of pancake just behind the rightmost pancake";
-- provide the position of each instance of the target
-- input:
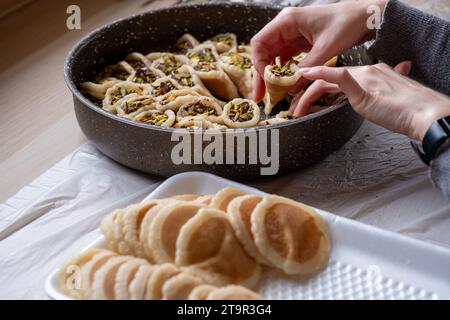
(240, 211)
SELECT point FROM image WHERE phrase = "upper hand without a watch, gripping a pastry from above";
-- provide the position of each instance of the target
(323, 31)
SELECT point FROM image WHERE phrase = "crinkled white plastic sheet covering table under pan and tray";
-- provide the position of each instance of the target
(375, 178)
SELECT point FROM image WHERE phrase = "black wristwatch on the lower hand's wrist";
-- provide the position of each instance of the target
(435, 138)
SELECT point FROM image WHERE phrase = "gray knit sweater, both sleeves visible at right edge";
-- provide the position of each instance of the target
(409, 34)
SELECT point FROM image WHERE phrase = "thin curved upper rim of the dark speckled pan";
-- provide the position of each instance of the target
(90, 35)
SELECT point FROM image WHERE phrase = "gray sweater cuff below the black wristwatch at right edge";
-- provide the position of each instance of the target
(440, 172)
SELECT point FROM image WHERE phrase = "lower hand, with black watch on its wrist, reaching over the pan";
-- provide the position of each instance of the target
(380, 94)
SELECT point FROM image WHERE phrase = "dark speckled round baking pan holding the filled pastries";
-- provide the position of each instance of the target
(147, 148)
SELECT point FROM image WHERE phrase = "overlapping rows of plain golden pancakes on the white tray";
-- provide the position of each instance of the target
(198, 247)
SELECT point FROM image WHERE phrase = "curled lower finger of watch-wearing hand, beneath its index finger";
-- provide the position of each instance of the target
(301, 104)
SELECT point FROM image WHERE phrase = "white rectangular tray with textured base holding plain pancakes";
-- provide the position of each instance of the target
(365, 263)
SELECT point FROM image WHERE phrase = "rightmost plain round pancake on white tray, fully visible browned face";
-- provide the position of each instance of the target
(292, 236)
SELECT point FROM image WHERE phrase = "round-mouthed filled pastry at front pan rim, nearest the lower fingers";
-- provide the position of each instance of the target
(241, 113)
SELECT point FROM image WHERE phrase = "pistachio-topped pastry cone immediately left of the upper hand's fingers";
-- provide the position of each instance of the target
(239, 67)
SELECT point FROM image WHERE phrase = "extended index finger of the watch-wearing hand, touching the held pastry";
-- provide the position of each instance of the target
(340, 77)
